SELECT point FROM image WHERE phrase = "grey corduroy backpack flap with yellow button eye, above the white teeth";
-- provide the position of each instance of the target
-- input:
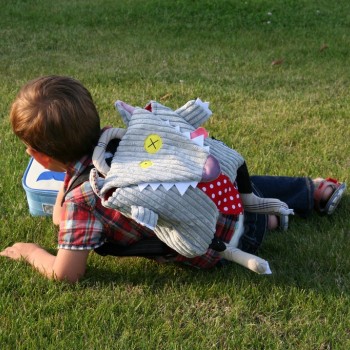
(178, 160)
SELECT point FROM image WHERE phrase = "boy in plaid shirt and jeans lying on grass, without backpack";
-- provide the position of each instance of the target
(58, 122)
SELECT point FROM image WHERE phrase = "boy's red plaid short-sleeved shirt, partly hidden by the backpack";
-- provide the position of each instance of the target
(86, 224)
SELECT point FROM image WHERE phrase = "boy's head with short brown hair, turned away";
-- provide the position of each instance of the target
(55, 115)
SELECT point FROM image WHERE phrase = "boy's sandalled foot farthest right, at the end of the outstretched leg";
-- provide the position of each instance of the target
(328, 194)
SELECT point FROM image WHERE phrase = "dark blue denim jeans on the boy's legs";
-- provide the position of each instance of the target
(296, 192)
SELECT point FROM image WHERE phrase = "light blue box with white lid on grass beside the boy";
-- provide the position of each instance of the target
(41, 186)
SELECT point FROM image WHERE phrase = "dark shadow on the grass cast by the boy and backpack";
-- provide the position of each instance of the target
(312, 255)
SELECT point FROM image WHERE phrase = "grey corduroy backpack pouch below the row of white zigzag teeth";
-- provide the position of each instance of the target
(186, 222)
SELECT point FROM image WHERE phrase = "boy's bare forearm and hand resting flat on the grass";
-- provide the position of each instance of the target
(68, 265)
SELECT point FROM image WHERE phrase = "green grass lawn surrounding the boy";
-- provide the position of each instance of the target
(277, 76)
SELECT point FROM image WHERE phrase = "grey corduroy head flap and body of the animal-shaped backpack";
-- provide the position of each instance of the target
(187, 222)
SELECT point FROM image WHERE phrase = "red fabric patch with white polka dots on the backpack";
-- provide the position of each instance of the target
(224, 194)
